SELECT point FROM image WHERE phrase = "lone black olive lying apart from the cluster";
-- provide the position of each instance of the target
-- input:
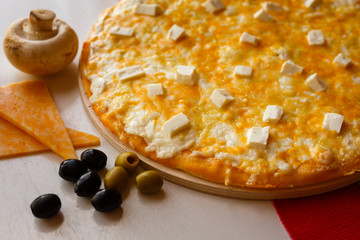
(46, 206)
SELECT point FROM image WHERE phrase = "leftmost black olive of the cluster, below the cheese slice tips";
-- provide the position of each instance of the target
(72, 169)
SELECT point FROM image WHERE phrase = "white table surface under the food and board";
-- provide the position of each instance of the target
(175, 213)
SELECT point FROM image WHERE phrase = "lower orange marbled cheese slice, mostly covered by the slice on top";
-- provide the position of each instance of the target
(14, 141)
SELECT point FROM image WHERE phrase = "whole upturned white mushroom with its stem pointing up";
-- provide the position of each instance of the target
(40, 45)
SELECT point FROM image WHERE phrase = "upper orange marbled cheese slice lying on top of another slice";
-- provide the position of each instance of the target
(29, 106)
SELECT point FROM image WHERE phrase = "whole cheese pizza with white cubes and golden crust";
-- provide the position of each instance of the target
(249, 93)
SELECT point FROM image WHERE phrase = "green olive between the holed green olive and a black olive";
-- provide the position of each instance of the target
(116, 179)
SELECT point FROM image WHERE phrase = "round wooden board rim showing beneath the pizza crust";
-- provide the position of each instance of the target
(187, 180)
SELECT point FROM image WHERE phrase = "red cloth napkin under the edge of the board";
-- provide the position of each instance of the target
(333, 215)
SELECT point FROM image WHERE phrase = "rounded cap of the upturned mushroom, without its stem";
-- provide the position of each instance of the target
(40, 57)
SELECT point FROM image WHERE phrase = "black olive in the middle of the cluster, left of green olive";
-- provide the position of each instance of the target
(88, 184)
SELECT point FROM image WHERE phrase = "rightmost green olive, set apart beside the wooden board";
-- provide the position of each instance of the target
(149, 182)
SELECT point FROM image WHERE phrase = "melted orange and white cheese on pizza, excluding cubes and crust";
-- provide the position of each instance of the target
(211, 44)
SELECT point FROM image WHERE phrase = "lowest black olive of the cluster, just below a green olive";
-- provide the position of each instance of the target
(106, 200)
